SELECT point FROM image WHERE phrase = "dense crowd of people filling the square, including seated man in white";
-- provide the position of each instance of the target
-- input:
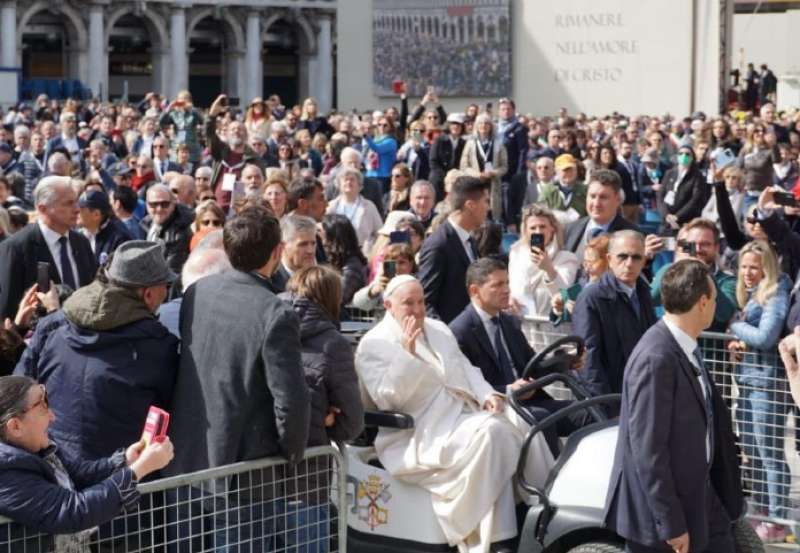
(203, 260)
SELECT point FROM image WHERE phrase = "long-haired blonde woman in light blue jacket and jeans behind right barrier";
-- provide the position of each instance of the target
(763, 294)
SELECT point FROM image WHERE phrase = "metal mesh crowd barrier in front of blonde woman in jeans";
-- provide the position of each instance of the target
(764, 416)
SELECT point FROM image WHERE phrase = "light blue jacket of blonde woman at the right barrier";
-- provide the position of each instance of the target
(761, 329)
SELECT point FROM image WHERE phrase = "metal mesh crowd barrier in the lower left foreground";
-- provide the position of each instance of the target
(254, 506)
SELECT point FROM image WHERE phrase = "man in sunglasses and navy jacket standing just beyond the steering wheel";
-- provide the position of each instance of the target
(612, 314)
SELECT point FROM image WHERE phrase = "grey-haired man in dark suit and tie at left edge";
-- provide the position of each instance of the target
(49, 240)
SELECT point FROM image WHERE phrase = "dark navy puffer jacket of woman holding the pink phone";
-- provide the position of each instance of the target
(31, 495)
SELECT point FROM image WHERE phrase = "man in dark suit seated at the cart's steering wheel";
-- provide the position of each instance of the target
(494, 342)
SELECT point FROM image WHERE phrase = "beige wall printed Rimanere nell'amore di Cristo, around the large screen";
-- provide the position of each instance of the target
(654, 78)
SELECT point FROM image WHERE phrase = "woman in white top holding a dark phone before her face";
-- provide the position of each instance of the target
(538, 266)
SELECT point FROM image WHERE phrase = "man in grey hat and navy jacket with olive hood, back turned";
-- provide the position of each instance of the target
(104, 357)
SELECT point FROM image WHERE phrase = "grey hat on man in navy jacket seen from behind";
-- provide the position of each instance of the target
(139, 264)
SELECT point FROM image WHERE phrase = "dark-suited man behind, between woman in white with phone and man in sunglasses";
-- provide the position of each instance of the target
(603, 200)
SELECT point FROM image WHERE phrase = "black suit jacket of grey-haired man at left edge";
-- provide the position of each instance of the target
(19, 256)
